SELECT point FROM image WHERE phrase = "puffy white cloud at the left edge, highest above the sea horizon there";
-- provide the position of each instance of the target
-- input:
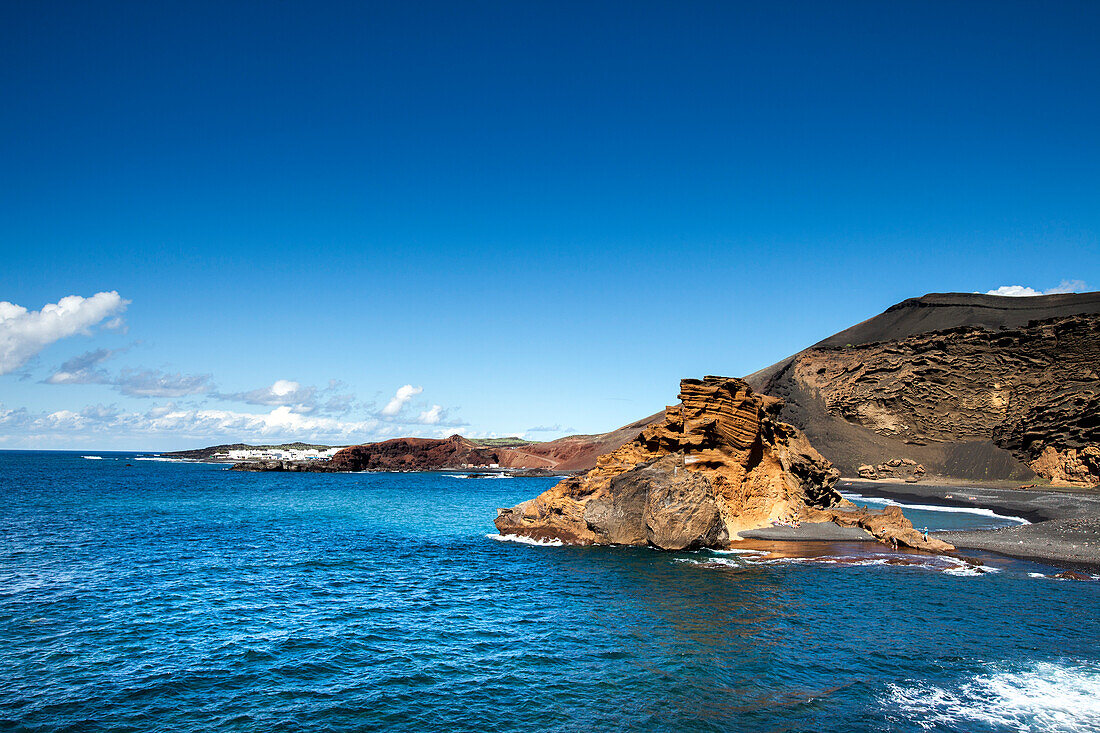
(24, 334)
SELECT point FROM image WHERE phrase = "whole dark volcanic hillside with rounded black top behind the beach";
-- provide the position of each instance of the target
(972, 387)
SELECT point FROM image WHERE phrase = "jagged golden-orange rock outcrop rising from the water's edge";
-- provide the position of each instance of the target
(720, 463)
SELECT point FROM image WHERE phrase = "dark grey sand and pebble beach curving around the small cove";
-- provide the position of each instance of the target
(1065, 527)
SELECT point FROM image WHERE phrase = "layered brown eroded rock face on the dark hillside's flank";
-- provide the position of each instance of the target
(1032, 391)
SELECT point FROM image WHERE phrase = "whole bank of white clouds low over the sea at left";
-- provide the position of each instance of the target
(299, 412)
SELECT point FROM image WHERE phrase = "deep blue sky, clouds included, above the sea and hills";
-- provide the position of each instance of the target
(534, 215)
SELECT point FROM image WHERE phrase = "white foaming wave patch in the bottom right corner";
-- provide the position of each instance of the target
(1060, 698)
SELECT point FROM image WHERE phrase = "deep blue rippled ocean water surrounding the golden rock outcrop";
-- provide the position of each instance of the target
(144, 596)
